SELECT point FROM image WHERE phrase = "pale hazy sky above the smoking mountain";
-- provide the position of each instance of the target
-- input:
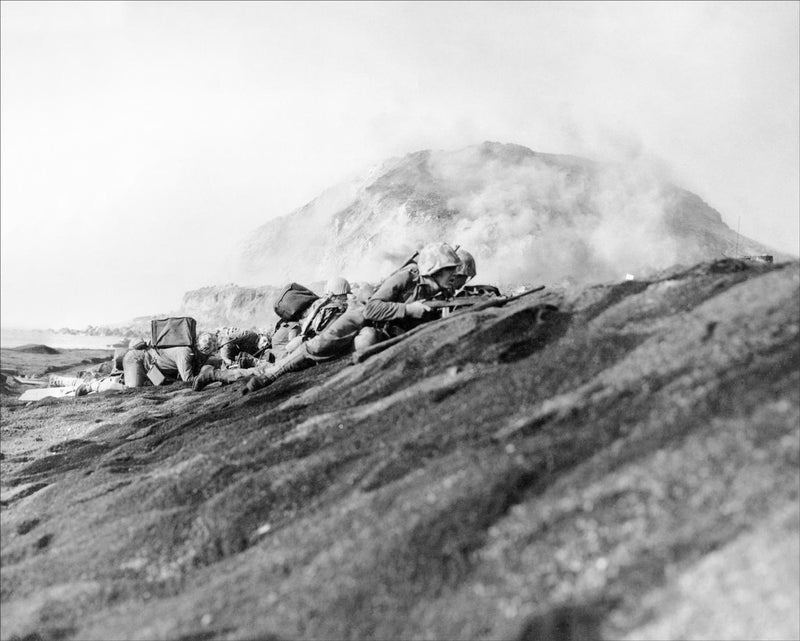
(141, 141)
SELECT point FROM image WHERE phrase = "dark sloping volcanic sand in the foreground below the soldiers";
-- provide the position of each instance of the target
(623, 466)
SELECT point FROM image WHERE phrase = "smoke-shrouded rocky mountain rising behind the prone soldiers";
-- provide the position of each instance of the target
(526, 216)
